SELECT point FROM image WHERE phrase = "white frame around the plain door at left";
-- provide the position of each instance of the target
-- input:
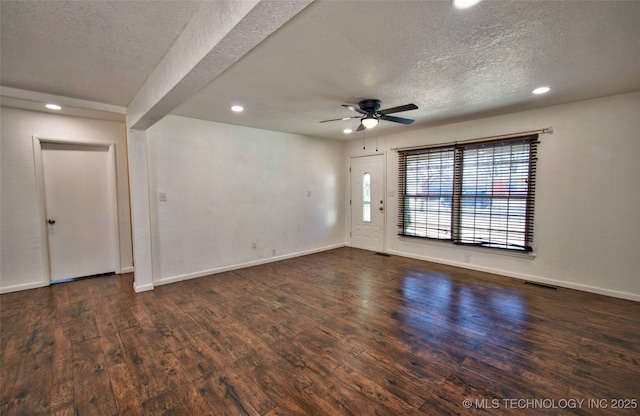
(42, 208)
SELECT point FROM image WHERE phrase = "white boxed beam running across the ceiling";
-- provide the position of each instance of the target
(219, 34)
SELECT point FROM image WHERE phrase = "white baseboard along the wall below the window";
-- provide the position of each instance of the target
(526, 277)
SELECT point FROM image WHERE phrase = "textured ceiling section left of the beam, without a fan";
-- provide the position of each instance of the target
(91, 50)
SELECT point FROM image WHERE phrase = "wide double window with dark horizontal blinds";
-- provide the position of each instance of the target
(478, 193)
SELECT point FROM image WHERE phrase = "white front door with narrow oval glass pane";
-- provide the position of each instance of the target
(367, 202)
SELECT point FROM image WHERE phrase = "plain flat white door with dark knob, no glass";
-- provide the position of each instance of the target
(79, 188)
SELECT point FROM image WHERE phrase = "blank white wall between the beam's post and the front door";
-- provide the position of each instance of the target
(228, 186)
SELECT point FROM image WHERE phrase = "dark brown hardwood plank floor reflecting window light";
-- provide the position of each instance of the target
(344, 332)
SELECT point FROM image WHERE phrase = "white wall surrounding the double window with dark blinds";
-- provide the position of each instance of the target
(587, 196)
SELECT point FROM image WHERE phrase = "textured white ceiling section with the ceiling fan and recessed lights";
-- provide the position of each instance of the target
(453, 64)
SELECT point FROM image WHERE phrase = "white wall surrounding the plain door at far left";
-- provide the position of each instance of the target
(21, 250)
